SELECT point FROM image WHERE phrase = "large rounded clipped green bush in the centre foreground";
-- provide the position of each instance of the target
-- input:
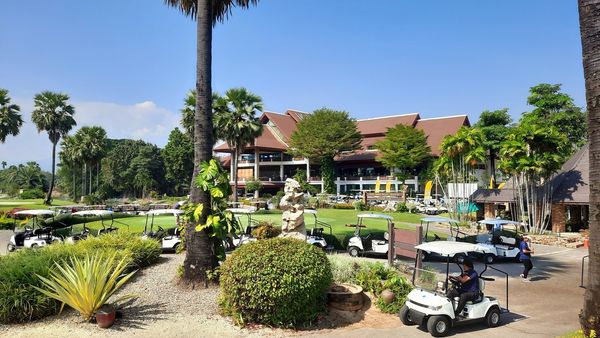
(278, 282)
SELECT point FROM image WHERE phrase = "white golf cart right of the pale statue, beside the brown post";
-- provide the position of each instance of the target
(364, 245)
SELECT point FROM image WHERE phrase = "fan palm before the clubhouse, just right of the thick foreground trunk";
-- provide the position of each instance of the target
(236, 123)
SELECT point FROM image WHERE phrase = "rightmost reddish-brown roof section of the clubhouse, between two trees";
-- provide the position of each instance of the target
(439, 127)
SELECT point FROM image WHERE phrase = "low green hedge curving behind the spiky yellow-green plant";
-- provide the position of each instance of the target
(20, 302)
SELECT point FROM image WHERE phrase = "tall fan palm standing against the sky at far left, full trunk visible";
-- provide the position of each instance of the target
(54, 115)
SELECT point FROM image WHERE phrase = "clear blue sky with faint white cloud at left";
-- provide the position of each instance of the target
(127, 63)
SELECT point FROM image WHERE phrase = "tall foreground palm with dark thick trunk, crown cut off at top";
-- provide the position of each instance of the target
(200, 254)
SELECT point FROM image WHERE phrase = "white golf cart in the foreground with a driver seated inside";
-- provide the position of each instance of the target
(428, 306)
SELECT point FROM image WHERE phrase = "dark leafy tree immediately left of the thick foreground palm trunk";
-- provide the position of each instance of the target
(178, 156)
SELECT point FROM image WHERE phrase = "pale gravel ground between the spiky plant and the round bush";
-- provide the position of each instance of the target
(162, 310)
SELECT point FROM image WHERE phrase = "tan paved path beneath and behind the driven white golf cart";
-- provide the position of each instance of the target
(546, 307)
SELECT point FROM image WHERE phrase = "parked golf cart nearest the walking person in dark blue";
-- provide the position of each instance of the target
(501, 241)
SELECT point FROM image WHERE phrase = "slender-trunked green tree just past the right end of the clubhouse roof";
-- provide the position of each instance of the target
(495, 127)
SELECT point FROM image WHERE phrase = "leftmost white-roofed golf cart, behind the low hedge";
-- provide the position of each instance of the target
(34, 236)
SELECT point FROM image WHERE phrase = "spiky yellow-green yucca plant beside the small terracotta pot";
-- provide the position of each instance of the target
(85, 284)
